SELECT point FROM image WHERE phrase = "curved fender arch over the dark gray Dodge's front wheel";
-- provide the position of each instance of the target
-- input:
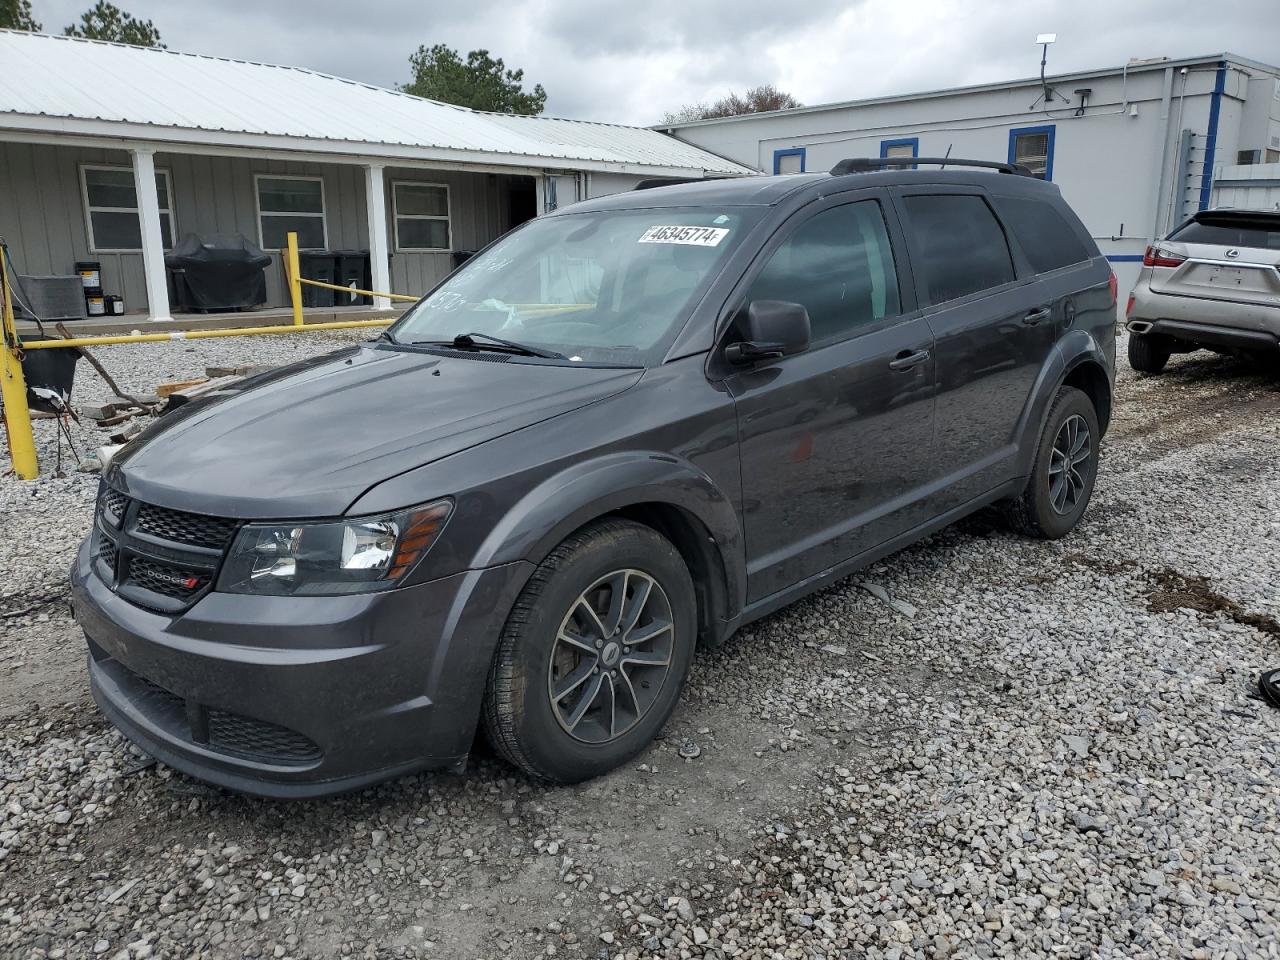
(577, 496)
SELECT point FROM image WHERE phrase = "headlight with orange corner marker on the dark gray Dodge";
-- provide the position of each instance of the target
(332, 557)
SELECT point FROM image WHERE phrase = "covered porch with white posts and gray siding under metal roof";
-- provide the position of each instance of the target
(72, 204)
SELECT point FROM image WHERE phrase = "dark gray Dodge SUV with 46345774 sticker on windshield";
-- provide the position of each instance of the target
(621, 431)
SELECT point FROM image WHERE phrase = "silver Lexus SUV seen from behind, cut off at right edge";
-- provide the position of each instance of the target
(1214, 284)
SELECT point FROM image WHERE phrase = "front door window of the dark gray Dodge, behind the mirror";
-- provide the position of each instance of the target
(840, 267)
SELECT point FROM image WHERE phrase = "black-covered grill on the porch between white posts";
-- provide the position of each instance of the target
(220, 272)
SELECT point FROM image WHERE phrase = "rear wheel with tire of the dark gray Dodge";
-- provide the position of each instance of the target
(1046, 509)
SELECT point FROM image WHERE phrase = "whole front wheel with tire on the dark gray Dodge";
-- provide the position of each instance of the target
(536, 712)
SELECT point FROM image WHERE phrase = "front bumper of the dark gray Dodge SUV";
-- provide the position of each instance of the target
(299, 697)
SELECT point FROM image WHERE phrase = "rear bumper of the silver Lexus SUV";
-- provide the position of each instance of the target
(1220, 323)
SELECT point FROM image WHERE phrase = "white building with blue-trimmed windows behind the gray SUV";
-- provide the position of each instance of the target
(1135, 149)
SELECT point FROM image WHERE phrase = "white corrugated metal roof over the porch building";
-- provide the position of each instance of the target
(70, 86)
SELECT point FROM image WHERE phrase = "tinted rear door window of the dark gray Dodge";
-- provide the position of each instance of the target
(962, 248)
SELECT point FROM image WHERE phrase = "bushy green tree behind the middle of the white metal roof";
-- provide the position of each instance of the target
(481, 83)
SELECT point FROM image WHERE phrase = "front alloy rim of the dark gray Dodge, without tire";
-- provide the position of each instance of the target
(612, 656)
